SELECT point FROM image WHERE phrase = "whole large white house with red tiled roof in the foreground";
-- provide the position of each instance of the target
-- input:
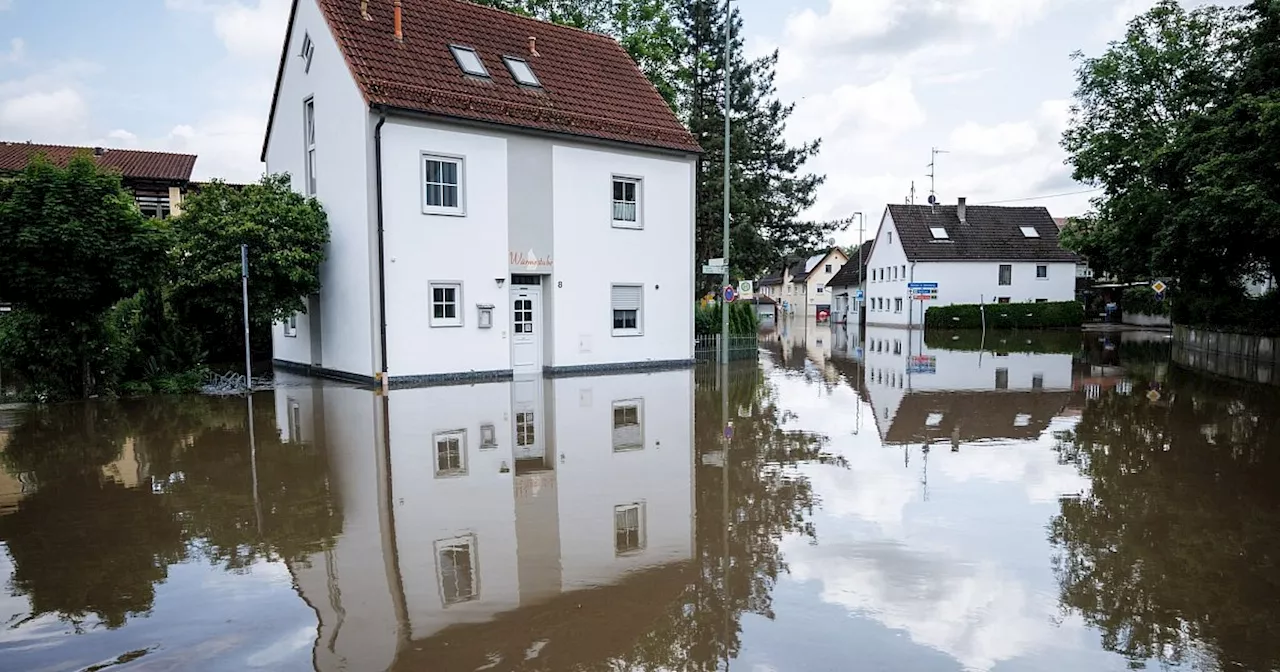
(505, 196)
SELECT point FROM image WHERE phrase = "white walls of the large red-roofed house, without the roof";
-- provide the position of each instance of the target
(534, 209)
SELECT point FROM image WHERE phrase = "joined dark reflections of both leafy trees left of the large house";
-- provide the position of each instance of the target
(85, 545)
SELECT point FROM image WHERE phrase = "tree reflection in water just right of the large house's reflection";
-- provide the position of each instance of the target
(767, 500)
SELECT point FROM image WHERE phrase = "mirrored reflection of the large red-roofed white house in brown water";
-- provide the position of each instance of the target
(487, 509)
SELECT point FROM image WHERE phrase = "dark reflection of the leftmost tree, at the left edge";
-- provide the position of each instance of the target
(84, 545)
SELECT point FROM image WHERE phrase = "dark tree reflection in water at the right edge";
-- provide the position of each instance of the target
(1173, 555)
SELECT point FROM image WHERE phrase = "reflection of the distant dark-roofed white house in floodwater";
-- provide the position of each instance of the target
(925, 395)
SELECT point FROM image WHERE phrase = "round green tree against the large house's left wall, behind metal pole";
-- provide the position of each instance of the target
(286, 234)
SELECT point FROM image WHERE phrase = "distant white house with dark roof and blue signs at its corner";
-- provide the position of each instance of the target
(975, 254)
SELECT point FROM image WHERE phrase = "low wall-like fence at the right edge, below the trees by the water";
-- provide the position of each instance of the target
(1242, 356)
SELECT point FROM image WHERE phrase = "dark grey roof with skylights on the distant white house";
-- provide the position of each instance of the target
(991, 234)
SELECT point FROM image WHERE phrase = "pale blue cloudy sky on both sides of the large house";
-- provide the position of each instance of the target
(883, 83)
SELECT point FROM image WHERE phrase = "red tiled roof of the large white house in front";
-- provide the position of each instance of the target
(589, 84)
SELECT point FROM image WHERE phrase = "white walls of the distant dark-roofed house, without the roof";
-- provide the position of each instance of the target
(959, 282)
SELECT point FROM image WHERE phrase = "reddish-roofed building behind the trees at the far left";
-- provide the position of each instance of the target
(158, 180)
